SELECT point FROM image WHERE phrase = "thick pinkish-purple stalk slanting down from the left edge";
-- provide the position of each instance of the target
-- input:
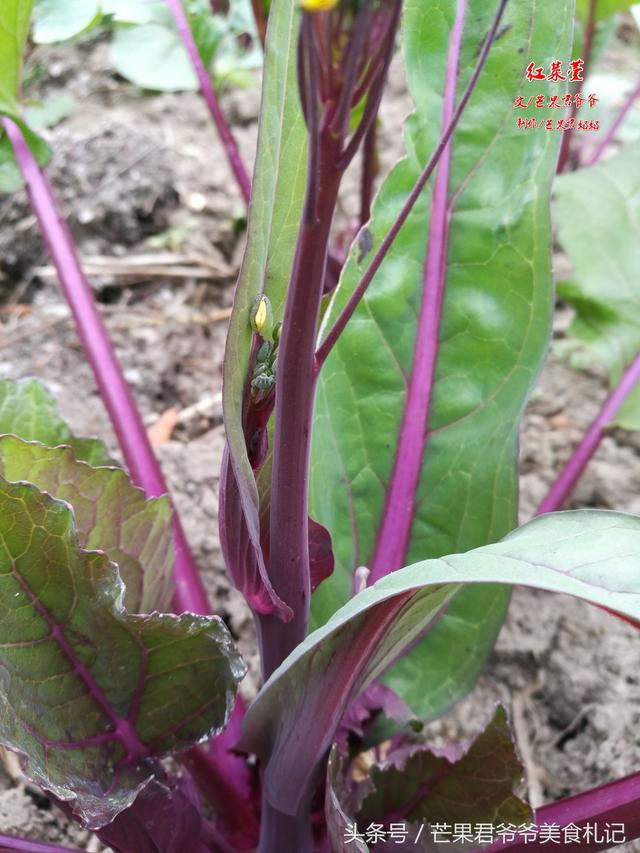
(116, 395)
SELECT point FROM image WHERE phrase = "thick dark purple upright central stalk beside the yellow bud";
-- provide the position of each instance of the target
(289, 541)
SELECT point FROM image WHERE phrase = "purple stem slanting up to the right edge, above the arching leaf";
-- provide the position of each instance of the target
(573, 470)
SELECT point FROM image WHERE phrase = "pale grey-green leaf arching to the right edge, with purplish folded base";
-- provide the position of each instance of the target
(593, 555)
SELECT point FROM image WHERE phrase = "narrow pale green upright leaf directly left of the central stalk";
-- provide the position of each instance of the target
(276, 203)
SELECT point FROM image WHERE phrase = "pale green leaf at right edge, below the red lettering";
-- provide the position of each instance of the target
(602, 241)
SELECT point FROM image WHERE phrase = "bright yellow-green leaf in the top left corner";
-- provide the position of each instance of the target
(14, 28)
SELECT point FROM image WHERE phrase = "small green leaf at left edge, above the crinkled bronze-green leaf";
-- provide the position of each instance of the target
(29, 411)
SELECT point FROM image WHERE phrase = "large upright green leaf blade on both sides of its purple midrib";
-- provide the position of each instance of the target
(494, 331)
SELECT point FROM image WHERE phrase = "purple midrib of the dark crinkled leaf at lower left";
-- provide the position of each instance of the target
(123, 730)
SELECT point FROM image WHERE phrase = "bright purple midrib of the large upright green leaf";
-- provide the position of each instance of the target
(395, 529)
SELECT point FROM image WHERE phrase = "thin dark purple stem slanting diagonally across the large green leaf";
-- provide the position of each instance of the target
(360, 289)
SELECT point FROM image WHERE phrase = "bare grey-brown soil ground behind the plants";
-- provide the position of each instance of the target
(130, 168)
